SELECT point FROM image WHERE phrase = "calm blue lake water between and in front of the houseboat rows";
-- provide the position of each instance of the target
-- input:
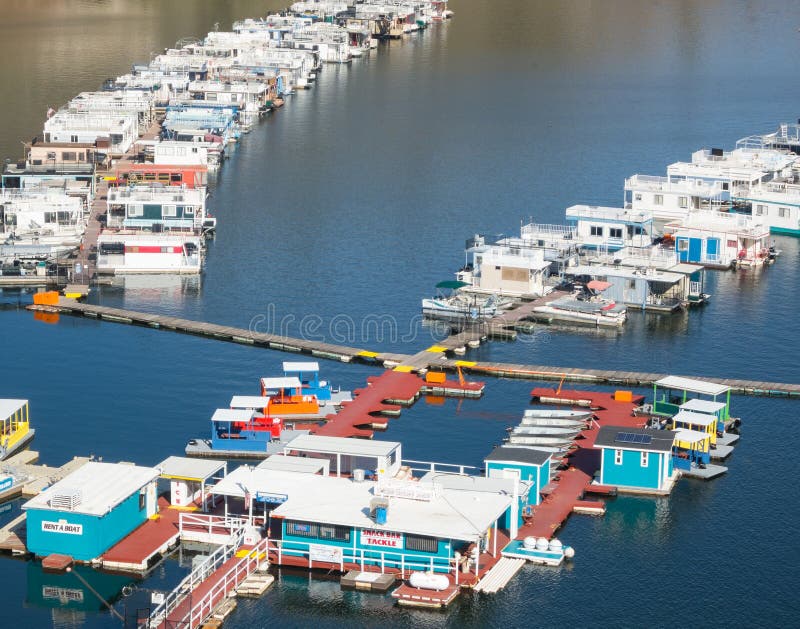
(341, 210)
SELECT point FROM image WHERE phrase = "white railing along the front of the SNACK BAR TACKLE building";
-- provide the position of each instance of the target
(404, 563)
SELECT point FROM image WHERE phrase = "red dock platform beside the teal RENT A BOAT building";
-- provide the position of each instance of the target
(138, 550)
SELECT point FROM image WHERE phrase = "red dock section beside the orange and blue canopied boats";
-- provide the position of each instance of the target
(386, 395)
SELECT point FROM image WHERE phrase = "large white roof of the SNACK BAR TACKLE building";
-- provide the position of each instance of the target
(462, 514)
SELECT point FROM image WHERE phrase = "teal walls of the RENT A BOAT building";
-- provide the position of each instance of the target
(99, 533)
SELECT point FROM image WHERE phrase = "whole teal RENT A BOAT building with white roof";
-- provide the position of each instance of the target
(91, 509)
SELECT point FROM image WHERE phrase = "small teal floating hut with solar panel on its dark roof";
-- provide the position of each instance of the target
(637, 460)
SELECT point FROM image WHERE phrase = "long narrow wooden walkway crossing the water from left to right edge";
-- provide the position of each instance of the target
(432, 358)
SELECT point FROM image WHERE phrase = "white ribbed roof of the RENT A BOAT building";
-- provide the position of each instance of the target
(102, 487)
